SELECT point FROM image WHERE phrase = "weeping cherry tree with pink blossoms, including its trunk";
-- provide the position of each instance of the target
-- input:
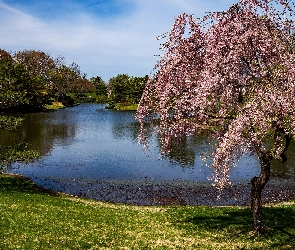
(234, 69)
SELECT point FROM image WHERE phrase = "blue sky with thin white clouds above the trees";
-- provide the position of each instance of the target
(104, 37)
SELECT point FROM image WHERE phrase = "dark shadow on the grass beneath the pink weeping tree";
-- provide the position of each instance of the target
(237, 224)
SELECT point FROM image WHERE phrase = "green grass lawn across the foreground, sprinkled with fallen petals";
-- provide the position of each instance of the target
(33, 218)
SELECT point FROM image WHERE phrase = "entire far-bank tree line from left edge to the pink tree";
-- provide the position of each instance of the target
(31, 79)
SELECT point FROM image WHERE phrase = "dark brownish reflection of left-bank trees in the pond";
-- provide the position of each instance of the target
(40, 131)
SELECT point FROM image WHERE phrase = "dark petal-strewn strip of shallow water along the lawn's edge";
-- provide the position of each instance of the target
(177, 192)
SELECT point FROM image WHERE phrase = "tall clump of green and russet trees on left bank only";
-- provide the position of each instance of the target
(30, 79)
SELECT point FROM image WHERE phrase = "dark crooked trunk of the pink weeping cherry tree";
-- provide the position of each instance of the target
(257, 185)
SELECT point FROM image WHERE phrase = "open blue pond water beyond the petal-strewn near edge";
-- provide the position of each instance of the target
(90, 143)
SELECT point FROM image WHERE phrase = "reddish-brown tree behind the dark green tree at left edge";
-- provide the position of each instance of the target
(52, 77)
